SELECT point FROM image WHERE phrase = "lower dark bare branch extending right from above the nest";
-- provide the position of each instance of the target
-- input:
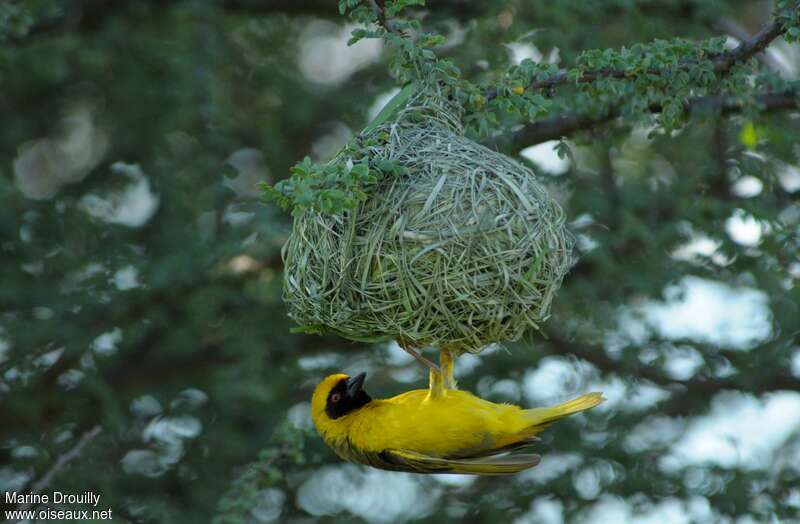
(569, 123)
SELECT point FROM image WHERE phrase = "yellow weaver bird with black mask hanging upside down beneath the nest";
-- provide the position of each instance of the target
(436, 430)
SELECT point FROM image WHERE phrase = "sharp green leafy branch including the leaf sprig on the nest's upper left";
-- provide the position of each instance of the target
(671, 80)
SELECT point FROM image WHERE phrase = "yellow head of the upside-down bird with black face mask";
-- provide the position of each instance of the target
(336, 396)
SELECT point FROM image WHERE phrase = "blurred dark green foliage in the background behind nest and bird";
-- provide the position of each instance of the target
(140, 276)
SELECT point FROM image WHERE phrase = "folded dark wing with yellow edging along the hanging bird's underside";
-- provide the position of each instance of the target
(405, 460)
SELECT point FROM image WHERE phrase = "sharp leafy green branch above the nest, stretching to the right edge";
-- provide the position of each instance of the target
(670, 79)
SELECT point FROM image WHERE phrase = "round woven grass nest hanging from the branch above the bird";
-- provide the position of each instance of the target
(463, 249)
